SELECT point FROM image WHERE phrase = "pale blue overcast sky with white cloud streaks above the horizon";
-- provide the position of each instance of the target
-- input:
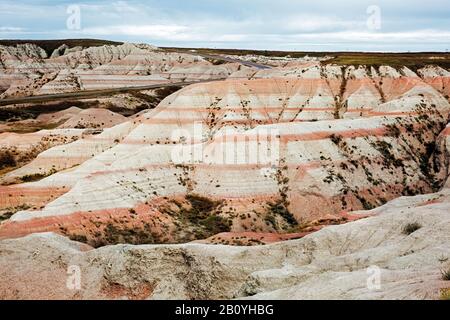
(315, 25)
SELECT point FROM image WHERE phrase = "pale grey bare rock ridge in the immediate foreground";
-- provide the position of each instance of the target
(339, 262)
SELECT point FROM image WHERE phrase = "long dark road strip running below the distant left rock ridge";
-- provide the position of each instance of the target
(96, 93)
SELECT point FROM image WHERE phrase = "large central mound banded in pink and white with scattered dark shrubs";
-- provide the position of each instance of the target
(323, 169)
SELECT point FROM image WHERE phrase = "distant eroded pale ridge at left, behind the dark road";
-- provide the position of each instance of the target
(25, 70)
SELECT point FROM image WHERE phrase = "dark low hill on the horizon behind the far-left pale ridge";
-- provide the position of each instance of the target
(50, 45)
